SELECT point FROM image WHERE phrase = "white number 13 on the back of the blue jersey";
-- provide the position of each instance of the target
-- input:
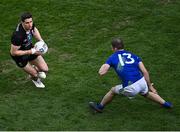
(128, 59)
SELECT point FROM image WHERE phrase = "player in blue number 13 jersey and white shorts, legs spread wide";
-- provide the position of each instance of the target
(135, 78)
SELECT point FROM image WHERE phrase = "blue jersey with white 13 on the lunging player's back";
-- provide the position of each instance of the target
(126, 66)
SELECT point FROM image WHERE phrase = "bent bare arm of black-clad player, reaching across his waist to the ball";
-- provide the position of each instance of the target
(16, 52)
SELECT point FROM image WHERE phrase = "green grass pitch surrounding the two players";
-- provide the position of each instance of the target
(78, 33)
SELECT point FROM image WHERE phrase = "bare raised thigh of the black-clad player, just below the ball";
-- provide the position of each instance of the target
(40, 63)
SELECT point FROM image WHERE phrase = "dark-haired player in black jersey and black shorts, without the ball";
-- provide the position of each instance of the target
(23, 52)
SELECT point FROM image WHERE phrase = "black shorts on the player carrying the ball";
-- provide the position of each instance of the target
(22, 61)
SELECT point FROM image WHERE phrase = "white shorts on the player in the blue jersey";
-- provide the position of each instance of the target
(139, 86)
